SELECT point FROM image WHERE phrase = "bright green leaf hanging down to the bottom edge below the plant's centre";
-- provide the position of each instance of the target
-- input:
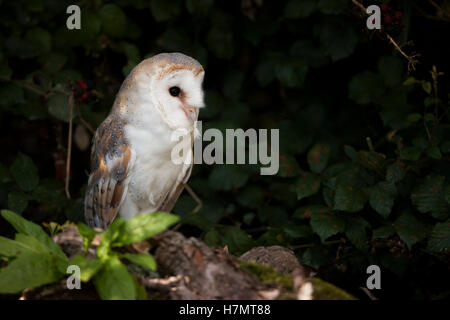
(114, 282)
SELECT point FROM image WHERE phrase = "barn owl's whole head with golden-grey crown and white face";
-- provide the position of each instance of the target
(172, 84)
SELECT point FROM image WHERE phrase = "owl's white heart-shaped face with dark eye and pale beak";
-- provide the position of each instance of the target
(178, 96)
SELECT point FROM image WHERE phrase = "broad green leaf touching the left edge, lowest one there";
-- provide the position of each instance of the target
(29, 270)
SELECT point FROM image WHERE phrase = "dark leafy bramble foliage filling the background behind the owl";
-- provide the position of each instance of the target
(310, 68)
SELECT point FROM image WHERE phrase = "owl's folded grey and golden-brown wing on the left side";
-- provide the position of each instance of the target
(111, 160)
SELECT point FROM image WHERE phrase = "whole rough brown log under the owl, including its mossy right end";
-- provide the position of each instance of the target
(189, 269)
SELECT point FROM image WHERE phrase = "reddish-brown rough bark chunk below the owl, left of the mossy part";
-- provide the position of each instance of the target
(206, 273)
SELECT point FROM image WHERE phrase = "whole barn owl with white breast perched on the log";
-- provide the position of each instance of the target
(131, 167)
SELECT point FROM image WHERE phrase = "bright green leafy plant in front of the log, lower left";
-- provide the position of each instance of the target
(34, 259)
